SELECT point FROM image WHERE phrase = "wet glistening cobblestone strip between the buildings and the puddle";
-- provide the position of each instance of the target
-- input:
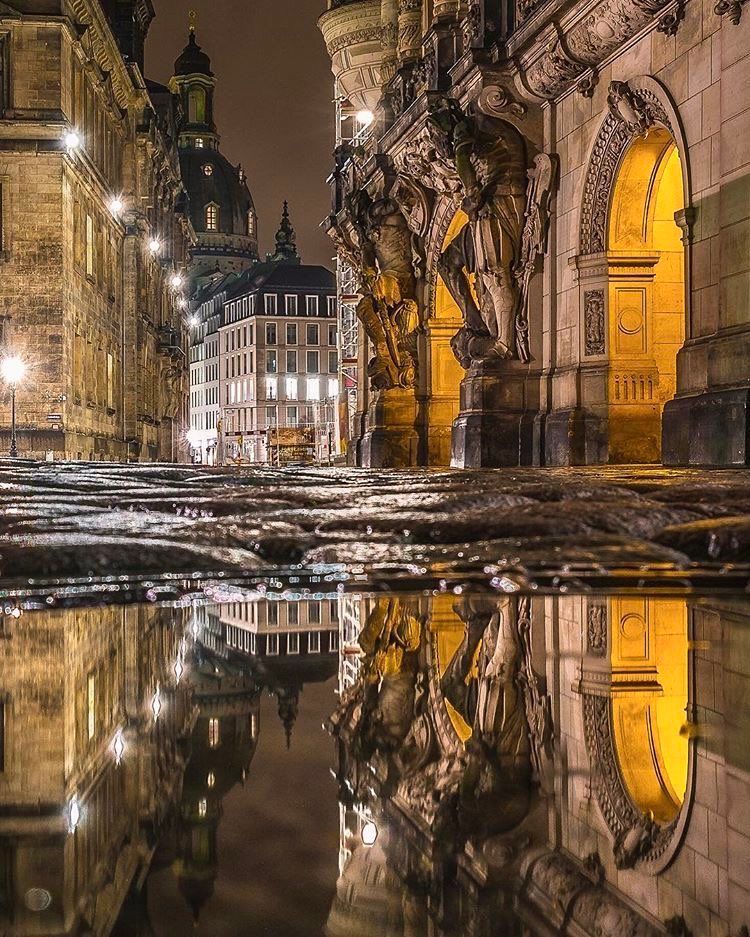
(84, 520)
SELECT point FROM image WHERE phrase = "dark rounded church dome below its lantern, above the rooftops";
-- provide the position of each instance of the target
(220, 201)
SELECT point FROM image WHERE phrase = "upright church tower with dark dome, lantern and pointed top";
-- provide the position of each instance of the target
(221, 206)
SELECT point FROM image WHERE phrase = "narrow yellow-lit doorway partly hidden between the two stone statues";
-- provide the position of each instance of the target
(445, 373)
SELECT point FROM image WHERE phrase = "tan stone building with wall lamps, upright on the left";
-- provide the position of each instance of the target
(93, 233)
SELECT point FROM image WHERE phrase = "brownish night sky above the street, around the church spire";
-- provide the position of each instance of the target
(273, 102)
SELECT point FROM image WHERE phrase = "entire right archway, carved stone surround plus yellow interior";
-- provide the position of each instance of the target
(633, 290)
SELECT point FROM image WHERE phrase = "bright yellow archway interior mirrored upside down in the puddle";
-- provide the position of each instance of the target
(649, 657)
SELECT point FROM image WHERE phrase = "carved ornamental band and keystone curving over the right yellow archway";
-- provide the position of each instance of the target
(615, 135)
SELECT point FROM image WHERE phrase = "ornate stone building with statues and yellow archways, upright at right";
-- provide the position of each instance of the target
(549, 224)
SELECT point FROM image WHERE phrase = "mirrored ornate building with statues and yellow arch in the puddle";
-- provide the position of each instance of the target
(545, 765)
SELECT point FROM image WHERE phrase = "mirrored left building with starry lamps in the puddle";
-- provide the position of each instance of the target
(90, 761)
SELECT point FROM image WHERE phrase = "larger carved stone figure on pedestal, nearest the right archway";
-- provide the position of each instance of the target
(478, 266)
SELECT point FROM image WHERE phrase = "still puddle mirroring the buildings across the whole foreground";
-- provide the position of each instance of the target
(505, 764)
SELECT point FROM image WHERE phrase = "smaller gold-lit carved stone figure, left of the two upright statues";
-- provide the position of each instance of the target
(383, 250)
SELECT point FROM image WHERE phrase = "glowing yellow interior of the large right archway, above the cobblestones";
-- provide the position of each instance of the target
(645, 294)
